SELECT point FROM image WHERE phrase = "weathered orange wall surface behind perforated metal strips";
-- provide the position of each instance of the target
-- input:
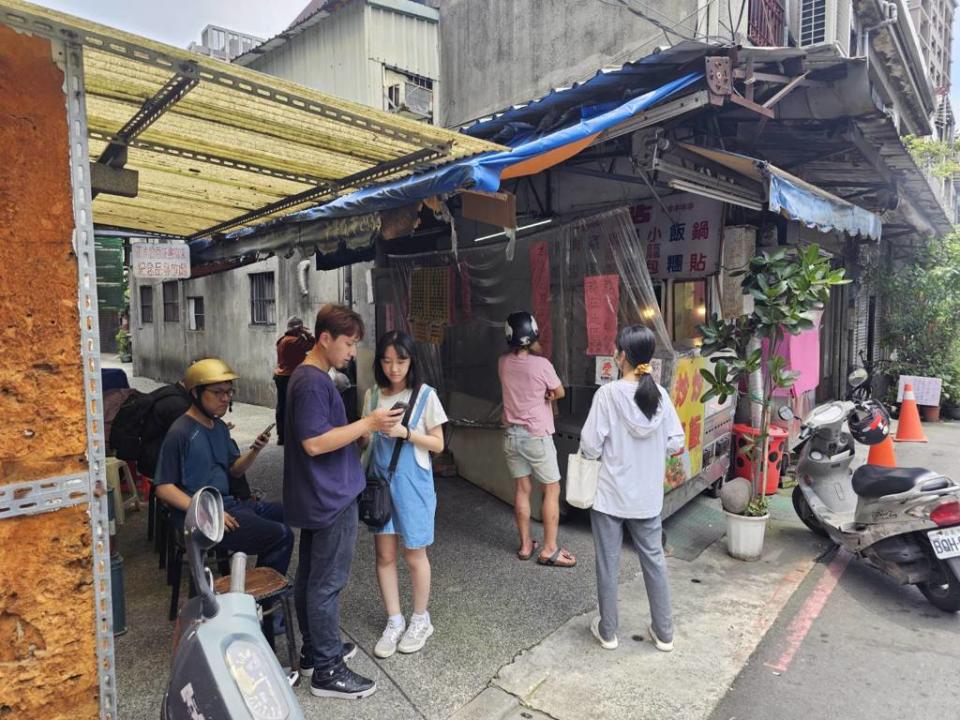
(48, 666)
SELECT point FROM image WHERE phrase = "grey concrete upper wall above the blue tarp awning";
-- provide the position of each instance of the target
(498, 52)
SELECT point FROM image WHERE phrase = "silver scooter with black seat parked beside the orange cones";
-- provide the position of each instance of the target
(904, 522)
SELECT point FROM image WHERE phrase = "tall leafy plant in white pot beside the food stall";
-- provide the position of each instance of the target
(786, 286)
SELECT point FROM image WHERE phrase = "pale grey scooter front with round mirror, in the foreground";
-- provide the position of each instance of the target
(222, 664)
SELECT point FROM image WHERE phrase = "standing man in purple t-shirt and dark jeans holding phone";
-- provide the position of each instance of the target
(322, 479)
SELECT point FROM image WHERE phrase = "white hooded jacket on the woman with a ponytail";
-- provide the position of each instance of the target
(632, 449)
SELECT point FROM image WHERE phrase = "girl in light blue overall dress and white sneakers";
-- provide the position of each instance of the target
(411, 488)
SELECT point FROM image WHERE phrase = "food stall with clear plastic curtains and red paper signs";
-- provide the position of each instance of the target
(582, 279)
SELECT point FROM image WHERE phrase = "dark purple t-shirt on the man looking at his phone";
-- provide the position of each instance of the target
(316, 489)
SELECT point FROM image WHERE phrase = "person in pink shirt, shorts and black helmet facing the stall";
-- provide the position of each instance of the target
(530, 384)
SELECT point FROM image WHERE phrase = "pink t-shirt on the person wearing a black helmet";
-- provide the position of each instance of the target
(525, 380)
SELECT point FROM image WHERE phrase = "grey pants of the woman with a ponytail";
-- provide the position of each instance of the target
(646, 535)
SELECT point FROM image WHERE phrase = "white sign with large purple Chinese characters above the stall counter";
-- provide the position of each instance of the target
(682, 241)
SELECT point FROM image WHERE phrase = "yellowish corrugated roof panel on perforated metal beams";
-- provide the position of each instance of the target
(236, 148)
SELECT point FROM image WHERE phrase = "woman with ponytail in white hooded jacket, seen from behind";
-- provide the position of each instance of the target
(632, 428)
